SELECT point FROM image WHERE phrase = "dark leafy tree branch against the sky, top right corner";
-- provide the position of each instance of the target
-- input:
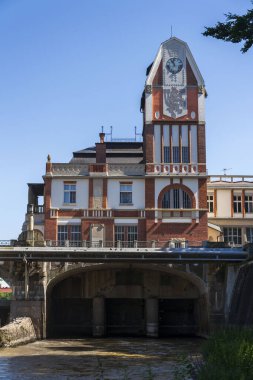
(235, 29)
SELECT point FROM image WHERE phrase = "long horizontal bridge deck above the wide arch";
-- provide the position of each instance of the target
(154, 255)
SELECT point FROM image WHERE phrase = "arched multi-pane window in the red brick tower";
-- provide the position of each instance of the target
(176, 198)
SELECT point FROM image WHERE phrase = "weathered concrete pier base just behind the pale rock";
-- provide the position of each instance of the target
(28, 308)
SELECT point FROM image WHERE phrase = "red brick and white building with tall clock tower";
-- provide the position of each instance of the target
(126, 192)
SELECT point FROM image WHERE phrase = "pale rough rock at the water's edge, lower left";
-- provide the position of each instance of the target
(20, 331)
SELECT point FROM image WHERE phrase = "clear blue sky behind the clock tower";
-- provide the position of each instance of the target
(69, 66)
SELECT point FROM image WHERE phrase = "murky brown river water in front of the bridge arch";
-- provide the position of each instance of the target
(97, 359)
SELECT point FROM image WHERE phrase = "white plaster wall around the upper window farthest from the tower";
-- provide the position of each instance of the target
(82, 194)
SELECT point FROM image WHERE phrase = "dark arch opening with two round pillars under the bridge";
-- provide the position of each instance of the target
(126, 302)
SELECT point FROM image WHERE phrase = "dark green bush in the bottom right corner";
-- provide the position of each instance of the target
(228, 355)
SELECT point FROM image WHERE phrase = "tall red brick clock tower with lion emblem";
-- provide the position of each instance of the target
(173, 106)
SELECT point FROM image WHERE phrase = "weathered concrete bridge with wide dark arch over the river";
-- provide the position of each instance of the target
(143, 289)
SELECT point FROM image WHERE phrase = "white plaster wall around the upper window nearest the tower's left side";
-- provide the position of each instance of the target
(113, 193)
